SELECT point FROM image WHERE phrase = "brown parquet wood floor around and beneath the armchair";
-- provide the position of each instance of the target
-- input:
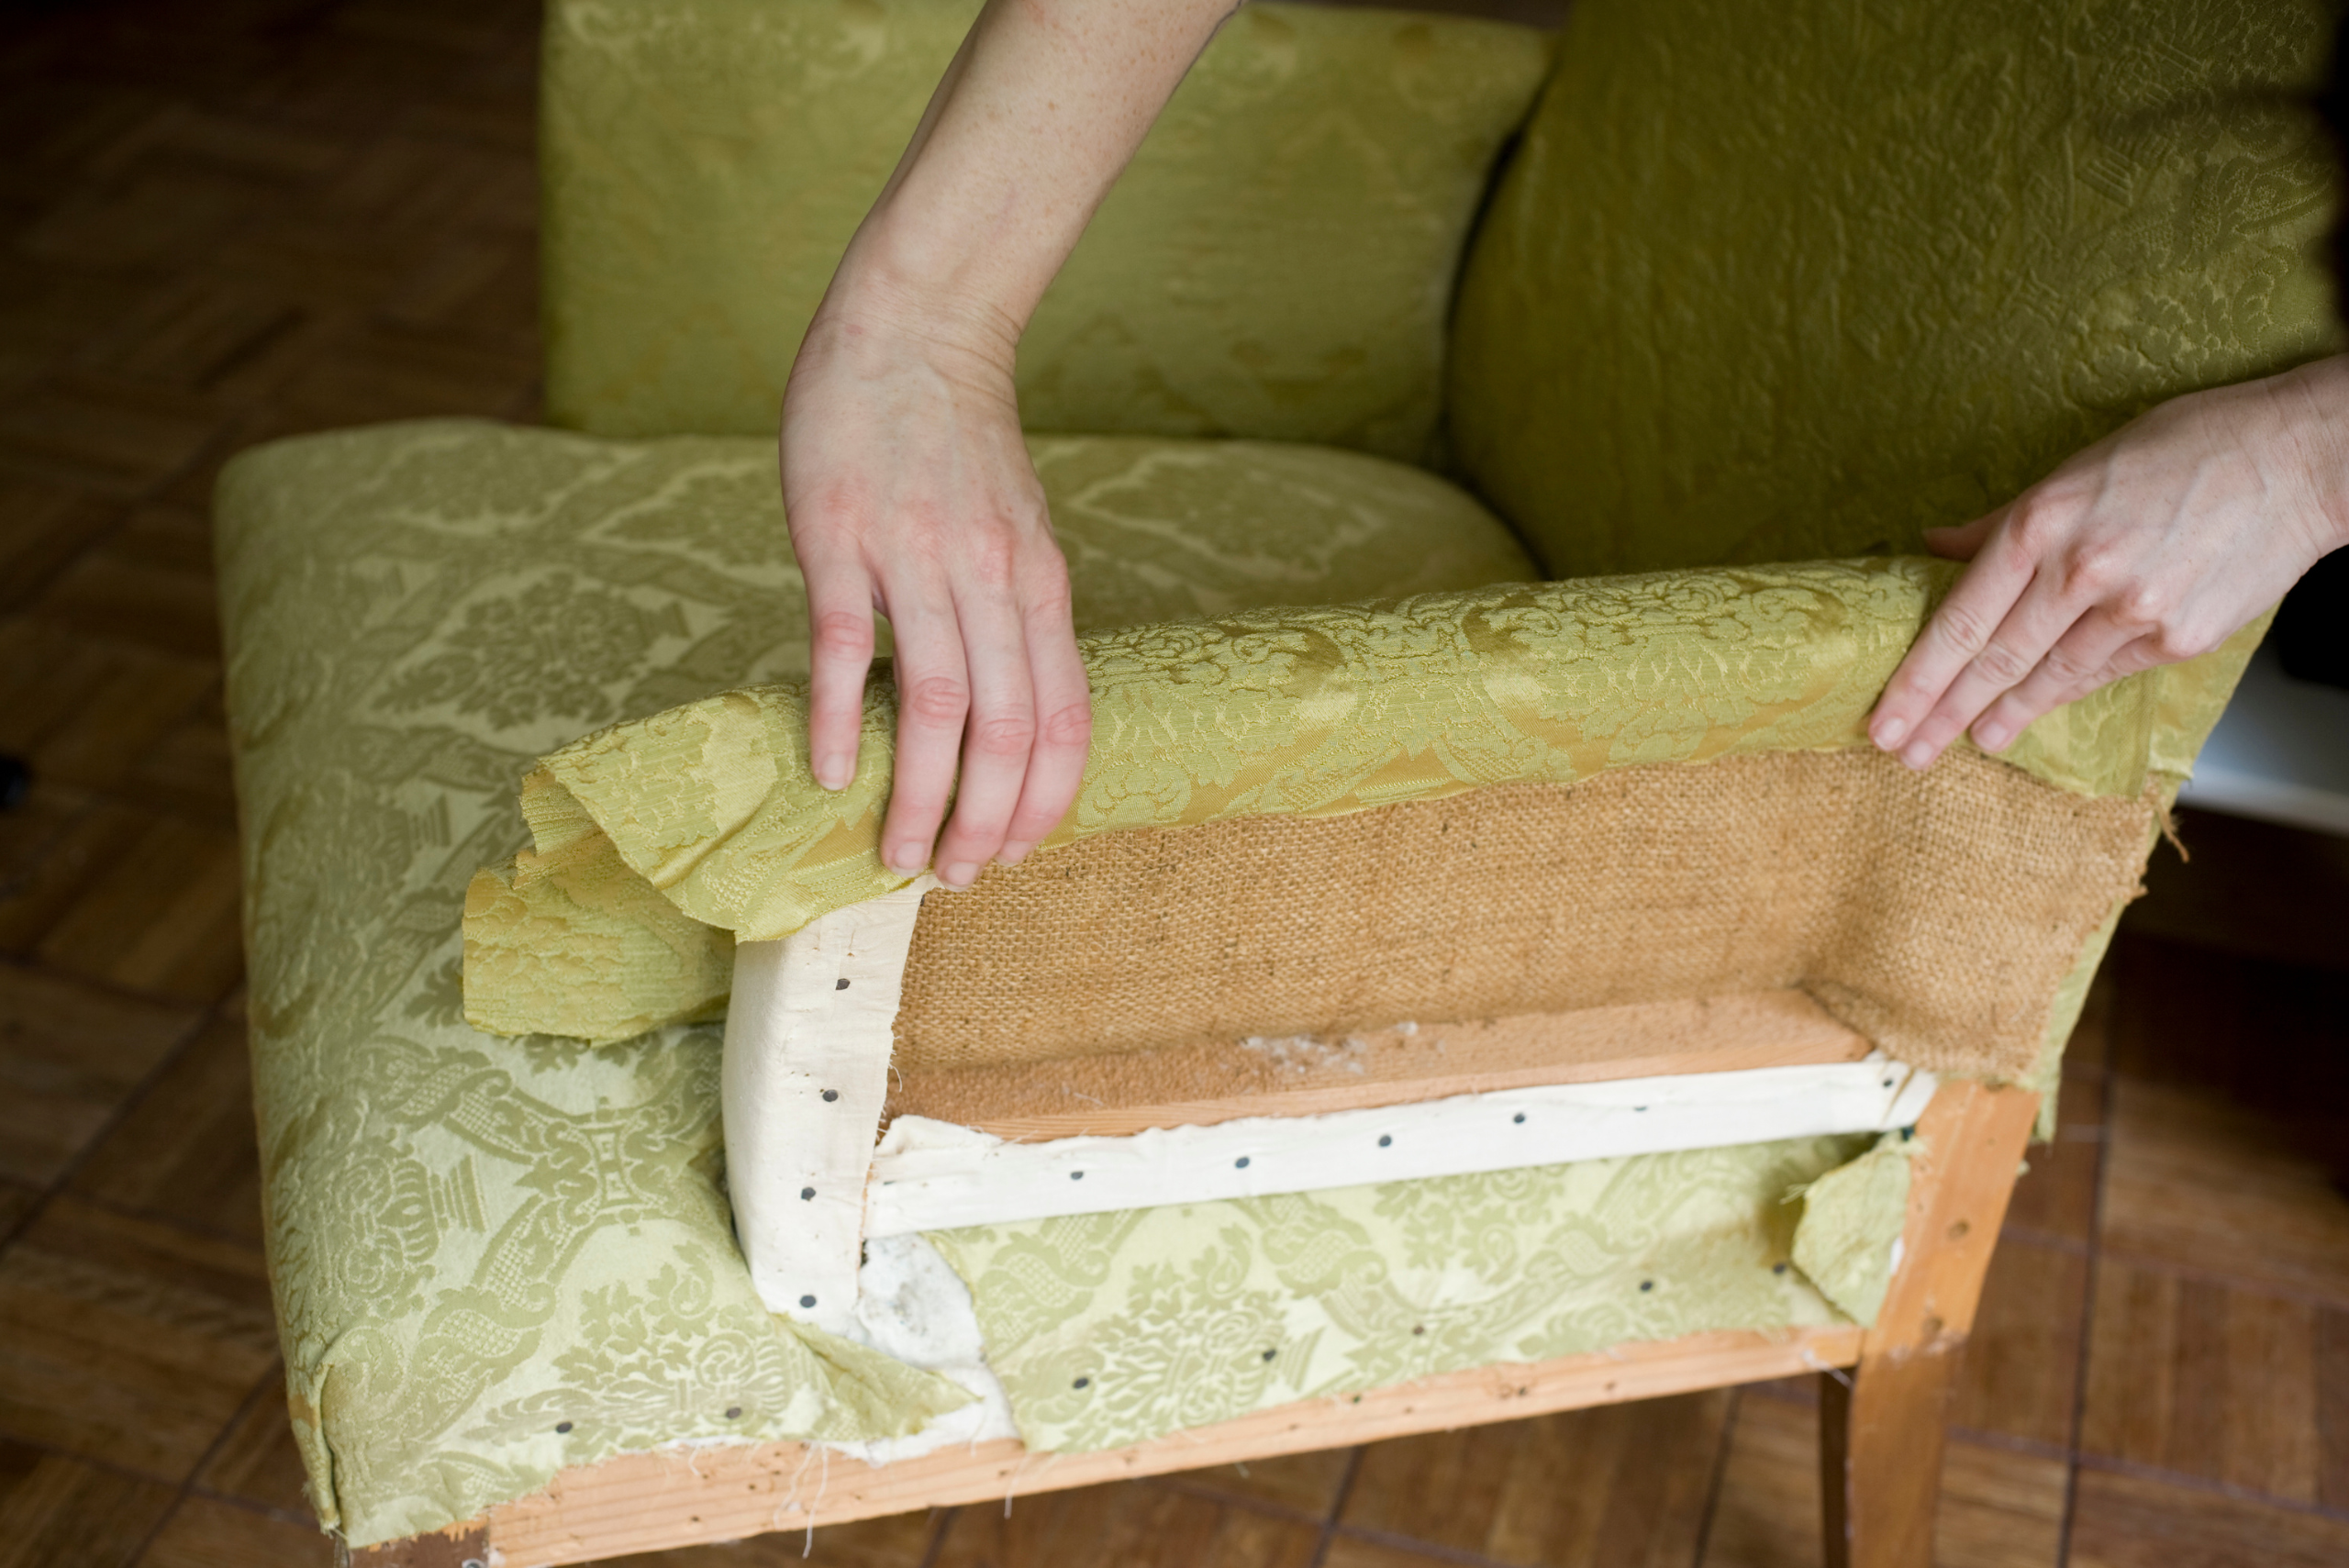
(234, 219)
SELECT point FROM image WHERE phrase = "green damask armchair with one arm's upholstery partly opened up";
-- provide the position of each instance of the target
(1483, 907)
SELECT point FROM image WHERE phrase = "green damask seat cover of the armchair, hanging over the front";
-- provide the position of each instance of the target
(504, 1257)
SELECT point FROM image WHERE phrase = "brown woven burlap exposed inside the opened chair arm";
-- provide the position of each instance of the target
(1934, 914)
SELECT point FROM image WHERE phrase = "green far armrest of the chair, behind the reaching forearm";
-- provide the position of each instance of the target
(1274, 264)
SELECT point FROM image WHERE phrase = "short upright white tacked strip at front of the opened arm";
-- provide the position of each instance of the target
(809, 1036)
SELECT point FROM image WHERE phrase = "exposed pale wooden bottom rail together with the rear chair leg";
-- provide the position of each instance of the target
(1885, 1403)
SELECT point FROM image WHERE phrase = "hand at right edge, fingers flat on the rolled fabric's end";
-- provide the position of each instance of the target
(2148, 548)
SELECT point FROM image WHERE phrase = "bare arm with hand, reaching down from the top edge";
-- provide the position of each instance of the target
(906, 478)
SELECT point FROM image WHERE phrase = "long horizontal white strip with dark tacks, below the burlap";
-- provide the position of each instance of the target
(941, 1177)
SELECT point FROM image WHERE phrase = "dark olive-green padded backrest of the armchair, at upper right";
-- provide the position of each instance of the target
(1803, 288)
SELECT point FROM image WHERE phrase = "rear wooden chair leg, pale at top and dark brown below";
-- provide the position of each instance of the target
(1880, 1433)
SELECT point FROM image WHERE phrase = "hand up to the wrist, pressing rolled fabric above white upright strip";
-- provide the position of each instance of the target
(910, 492)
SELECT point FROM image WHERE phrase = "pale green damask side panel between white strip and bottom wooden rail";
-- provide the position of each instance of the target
(1119, 1327)
